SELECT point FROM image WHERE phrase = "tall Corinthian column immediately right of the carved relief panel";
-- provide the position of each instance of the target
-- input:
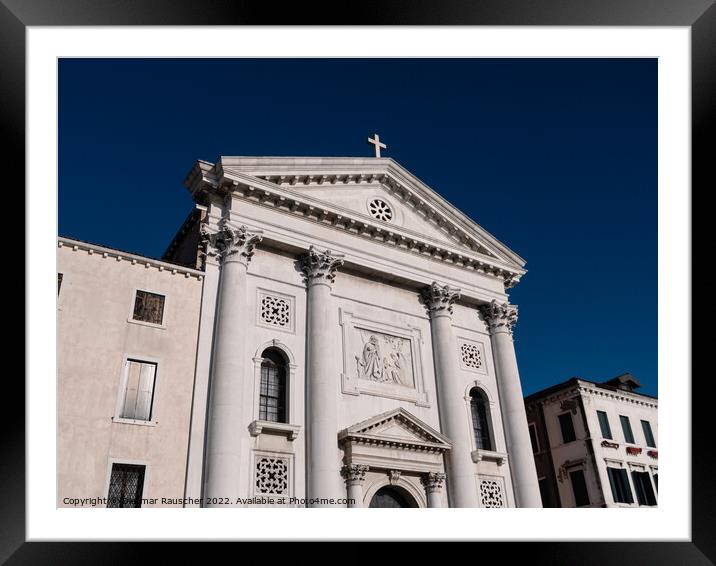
(461, 481)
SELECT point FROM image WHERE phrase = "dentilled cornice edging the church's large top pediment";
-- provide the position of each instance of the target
(276, 183)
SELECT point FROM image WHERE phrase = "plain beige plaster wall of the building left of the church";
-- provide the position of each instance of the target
(96, 335)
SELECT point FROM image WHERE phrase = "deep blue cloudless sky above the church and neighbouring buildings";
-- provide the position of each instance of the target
(555, 157)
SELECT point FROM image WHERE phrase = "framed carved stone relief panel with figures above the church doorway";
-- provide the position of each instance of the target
(382, 359)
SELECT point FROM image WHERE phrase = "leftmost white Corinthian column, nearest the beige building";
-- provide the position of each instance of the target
(233, 247)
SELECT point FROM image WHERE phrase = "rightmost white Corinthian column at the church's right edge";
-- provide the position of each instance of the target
(501, 318)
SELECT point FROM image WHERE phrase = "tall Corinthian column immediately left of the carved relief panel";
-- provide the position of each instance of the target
(323, 463)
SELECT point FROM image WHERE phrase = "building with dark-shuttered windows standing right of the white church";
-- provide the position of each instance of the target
(595, 444)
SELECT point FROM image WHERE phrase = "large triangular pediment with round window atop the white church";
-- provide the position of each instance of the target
(350, 186)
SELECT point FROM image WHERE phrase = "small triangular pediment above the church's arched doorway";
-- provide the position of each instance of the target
(396, 427)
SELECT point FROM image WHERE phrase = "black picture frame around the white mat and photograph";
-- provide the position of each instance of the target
(699, 15)
